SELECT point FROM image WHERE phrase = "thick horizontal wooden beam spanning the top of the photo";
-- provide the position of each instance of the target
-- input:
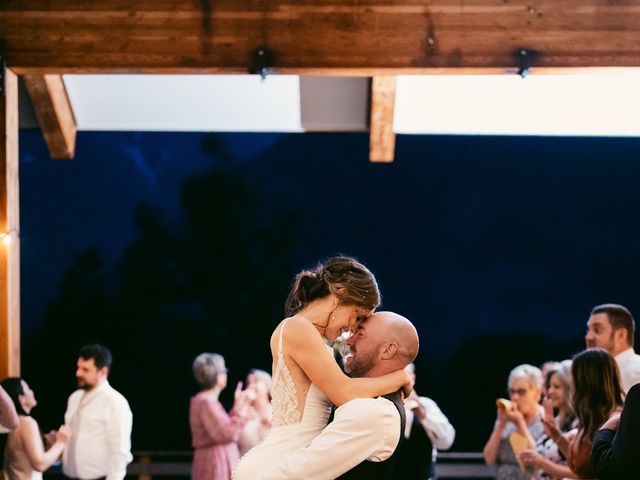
(334, 37)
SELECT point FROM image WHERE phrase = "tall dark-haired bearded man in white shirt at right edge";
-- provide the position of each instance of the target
(612, 327)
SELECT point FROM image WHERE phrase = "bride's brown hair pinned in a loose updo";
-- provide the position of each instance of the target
(350, 281)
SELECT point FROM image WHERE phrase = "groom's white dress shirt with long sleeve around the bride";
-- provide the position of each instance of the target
(362, 429)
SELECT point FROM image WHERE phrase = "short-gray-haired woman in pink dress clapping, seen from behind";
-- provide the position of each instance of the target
(214, 433)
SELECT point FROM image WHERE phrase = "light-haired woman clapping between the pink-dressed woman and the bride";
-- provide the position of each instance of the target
(258, 419)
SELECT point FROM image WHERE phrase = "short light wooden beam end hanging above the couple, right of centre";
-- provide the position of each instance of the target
(382, 138)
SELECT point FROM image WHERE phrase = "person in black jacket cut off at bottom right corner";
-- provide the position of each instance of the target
(615, 453)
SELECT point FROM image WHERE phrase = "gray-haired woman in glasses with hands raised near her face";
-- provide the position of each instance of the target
(518, 424)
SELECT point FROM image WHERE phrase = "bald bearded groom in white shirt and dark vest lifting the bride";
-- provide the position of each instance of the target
(361, 440)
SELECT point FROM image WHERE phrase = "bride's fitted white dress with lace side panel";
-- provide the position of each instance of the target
(291, 429)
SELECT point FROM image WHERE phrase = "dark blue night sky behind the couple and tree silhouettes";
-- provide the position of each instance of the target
(480, 241)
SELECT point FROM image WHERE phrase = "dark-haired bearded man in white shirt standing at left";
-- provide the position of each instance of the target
(100, 420)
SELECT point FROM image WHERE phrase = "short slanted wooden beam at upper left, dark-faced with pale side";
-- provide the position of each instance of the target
(54, 114)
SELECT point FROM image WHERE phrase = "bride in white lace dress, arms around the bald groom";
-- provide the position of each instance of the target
(323, 304)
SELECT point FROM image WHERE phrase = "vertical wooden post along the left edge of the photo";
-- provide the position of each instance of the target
(9, 226)
